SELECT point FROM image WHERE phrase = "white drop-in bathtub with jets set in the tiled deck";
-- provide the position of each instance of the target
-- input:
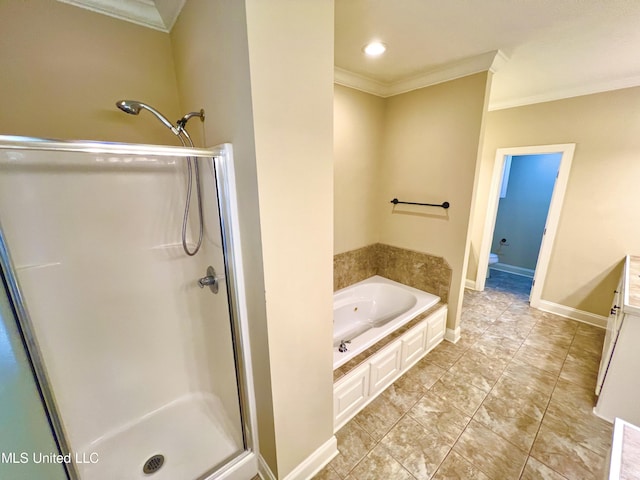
(367, 311)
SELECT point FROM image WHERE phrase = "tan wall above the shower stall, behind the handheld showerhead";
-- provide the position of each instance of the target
(63, 69)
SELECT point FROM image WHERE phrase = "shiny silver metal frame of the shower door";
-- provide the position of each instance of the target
(221, 157)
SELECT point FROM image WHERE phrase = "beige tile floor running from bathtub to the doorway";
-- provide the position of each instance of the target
(511, 400)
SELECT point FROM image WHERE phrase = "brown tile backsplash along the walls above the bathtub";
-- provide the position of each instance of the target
(419, 270)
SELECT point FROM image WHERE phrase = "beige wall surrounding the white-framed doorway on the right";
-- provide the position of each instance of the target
(599, 222)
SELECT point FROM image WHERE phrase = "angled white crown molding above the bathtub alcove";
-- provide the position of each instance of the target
(489, 61)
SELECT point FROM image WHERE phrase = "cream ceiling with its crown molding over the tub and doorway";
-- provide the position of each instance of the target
(539, 50)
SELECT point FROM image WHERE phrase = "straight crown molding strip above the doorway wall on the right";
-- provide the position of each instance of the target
(560, 94)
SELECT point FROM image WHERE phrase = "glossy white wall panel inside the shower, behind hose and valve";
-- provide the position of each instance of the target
(123, 327)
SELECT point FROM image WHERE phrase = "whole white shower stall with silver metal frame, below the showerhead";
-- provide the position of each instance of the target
(144, 373)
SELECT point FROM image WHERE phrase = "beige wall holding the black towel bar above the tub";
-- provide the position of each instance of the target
(430, 149)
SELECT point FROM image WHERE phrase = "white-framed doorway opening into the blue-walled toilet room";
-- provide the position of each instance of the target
(523, 259)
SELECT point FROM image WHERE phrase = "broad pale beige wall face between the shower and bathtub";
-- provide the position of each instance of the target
(291, 63)
